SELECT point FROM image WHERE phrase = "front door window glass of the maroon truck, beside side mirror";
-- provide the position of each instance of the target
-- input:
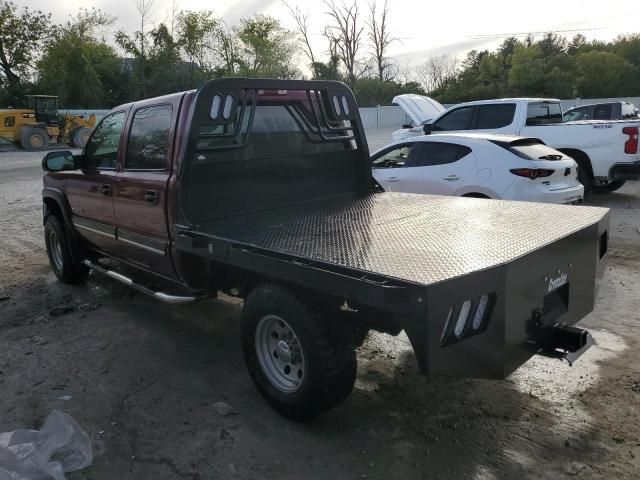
(101, 150)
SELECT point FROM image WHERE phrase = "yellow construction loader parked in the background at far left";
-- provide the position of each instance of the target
(39, 126)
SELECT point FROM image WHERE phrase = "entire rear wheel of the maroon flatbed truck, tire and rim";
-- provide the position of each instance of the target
(302, 363)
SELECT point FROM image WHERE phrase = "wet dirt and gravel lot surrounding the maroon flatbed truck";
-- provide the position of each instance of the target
(141, 378)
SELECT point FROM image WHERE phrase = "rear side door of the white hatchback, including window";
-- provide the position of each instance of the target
(437, 168)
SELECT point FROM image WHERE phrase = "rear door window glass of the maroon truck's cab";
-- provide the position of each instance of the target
(148, 143)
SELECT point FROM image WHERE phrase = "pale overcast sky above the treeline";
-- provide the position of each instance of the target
(426, 28)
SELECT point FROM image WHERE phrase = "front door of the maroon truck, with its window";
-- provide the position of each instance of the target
(90, 190)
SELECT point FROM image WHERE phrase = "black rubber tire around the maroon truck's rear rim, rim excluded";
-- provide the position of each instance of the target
(328, 353)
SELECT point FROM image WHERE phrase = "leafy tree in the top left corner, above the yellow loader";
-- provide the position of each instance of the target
(22, 35)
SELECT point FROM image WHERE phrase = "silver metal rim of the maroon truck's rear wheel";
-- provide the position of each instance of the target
(280, 354)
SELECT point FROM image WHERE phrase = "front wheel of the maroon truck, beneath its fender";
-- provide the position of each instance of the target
(59, 253)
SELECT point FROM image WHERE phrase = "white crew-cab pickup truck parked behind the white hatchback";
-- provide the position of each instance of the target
(606, 151)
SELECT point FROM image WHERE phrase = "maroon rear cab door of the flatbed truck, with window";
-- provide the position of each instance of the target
(141, 185)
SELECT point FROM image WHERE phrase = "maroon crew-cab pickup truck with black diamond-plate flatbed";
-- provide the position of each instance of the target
(262, 189)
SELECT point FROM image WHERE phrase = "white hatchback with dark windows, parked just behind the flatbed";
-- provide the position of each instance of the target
(478, 165)
